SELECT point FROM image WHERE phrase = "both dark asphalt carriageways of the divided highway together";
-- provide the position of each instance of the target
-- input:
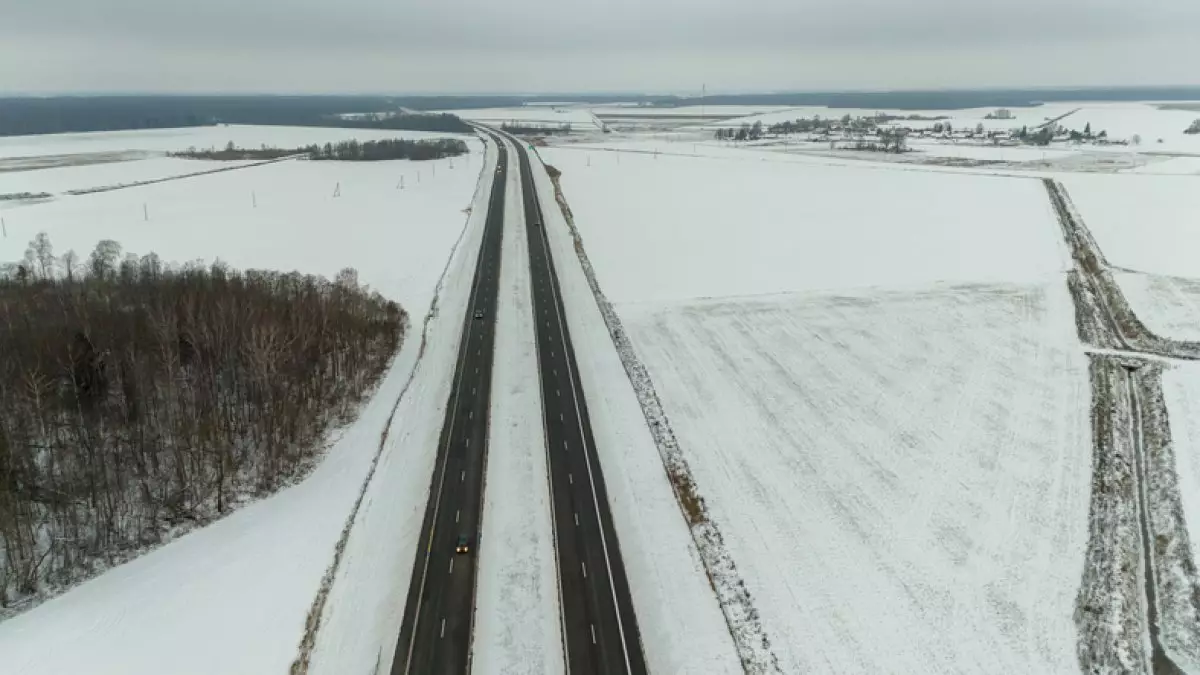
(601, 635)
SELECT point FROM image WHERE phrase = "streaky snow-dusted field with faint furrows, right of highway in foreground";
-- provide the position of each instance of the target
(903, 479)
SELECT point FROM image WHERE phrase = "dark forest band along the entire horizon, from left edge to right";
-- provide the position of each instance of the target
(56, 115)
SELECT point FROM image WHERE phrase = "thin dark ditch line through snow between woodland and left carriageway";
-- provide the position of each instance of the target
(316, 612)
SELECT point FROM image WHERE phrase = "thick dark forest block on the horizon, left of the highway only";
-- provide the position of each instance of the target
(116, 114)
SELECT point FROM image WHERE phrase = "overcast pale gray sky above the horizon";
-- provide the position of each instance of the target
(521, 46)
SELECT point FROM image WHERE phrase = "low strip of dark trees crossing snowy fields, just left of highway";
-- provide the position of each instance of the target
(346, 151)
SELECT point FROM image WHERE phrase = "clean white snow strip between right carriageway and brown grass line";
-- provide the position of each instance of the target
(682, 626)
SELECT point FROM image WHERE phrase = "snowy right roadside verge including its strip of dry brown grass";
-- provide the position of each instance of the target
(674, 563)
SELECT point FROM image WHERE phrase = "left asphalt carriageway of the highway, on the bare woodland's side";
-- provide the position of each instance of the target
(435, 636)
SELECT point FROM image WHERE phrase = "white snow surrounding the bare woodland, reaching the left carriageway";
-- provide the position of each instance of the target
(233, 598)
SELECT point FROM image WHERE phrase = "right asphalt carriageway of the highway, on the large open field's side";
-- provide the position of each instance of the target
(599, 628)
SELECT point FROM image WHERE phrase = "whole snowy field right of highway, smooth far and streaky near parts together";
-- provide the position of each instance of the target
(902, 467)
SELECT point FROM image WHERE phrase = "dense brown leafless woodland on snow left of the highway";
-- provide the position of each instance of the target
(137, 398)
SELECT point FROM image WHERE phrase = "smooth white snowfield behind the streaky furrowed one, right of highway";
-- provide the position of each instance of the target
(689, 228)
